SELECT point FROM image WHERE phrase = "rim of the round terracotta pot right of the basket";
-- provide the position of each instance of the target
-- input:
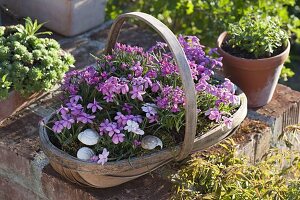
(220, 42)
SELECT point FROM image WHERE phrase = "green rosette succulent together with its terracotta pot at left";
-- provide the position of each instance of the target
(29, 65)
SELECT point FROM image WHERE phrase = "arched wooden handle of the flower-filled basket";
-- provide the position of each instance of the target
(184, 71)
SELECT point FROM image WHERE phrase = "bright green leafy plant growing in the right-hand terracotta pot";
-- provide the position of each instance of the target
(256, 37)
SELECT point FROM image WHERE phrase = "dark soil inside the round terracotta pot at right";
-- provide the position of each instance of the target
(238, 52)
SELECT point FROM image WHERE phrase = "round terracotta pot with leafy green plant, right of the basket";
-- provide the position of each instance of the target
(254, 51)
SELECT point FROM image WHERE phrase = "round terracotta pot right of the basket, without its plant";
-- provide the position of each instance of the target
(256, 77)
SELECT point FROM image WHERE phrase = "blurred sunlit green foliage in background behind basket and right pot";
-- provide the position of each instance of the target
(208, 18)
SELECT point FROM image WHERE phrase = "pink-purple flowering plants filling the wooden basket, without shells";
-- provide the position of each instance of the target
(133, 93)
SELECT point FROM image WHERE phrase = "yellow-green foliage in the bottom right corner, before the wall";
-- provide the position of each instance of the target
(224, 176)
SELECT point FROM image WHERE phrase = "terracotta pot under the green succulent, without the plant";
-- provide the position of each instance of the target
(15, 102)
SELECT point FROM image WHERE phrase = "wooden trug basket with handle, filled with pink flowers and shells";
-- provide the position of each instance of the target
(137, 110)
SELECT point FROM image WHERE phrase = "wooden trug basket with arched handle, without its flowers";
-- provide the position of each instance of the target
(115, 173)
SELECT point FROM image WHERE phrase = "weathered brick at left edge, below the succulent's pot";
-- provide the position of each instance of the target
(19, 144)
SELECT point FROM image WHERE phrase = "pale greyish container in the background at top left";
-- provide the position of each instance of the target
(67, 17)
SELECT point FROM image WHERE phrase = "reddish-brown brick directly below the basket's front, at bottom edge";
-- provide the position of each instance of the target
(149, 187)
